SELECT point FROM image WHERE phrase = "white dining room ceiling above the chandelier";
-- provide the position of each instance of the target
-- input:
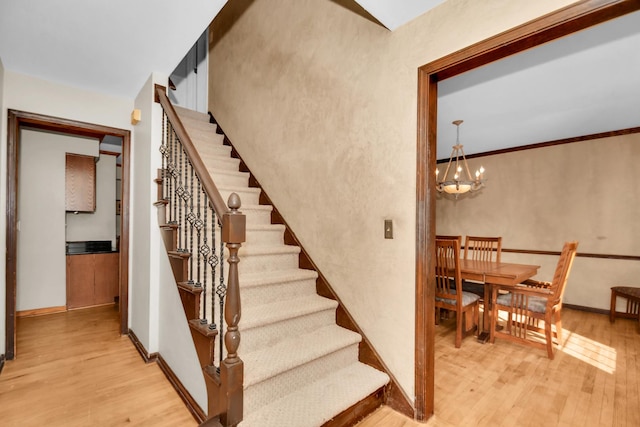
(582, 84)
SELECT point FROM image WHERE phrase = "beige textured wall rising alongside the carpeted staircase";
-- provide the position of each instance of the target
(321, 103)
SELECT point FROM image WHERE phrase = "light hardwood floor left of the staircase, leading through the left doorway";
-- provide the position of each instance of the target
(74, 369)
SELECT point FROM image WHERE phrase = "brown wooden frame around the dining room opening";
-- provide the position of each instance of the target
(560, 23)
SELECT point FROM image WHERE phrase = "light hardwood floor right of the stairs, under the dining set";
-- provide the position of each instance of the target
(593, 381)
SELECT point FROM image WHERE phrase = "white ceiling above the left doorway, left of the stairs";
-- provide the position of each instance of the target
(108, 46)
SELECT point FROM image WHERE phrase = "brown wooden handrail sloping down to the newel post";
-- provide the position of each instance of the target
(218, 203)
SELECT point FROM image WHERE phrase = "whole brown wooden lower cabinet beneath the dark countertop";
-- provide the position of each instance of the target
(92, 279)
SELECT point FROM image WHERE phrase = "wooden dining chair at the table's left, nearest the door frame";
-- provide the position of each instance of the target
(448, 293)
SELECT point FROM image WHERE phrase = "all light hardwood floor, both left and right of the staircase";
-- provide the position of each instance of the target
(73, 369)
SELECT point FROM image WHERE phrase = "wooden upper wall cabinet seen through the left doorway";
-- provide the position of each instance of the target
(80, 183)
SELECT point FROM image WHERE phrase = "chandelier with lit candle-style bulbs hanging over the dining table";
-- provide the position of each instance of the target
(457, 184)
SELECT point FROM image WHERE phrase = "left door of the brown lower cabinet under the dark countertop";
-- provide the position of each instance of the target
(80, 282)
